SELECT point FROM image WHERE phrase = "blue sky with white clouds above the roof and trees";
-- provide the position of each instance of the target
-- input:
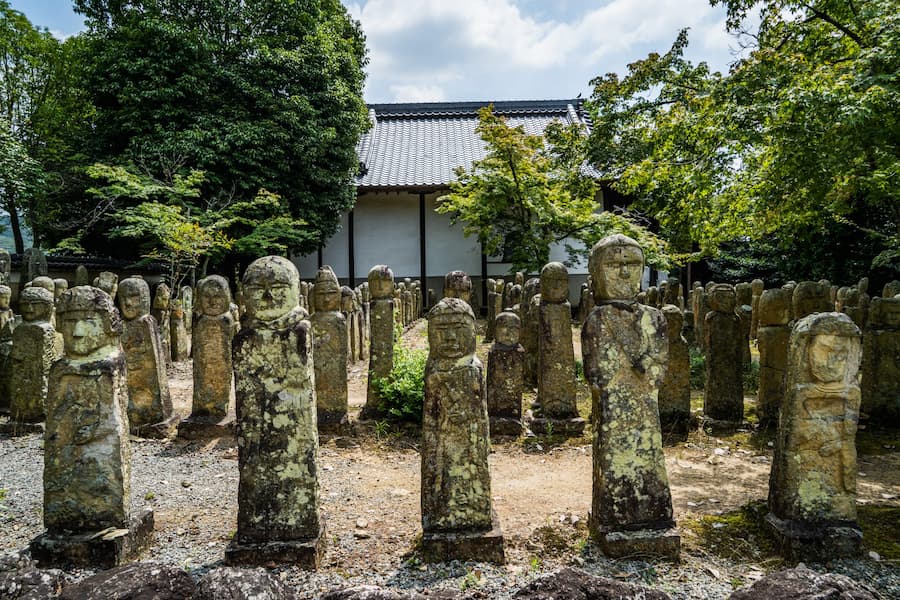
(449, 50)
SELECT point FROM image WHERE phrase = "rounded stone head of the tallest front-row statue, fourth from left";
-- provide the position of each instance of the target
(616, 266)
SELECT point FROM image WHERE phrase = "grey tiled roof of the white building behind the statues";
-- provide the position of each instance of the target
(418, 145)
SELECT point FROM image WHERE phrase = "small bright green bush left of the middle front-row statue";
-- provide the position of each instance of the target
(402, 393)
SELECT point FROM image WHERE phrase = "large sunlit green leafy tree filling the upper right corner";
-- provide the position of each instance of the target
(800, 135)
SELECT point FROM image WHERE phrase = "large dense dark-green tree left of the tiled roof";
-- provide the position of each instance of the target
(263, 97)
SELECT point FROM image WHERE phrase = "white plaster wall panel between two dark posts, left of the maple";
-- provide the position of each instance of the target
(386, 228)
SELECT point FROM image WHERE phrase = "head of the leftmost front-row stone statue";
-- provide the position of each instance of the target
(88, 320)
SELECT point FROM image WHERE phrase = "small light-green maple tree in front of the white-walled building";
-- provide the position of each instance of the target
(532, 191)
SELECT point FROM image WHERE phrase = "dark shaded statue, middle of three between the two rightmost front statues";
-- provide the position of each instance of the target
(723, 397)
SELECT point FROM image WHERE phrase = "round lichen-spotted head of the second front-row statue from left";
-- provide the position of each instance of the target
(271, 288)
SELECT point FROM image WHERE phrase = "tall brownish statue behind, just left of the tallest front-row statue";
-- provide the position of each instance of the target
(558, 412)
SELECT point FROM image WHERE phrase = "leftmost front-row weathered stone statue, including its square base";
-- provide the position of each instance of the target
(87, 457)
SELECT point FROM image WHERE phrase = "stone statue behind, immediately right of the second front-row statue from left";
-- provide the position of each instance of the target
(330, 352)
